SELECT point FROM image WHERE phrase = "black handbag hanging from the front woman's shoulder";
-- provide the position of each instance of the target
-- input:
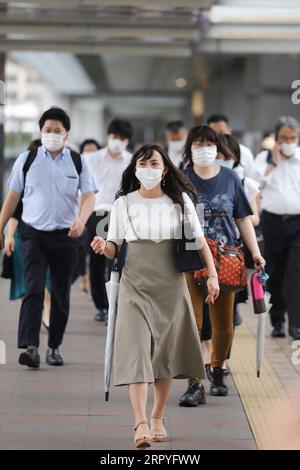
(187, 254)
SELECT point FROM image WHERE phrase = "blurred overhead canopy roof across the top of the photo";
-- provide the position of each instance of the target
(155, 42)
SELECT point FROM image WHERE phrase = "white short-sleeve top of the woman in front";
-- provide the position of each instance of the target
(134, 217)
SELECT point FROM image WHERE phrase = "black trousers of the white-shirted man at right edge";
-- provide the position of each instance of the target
(282, 252)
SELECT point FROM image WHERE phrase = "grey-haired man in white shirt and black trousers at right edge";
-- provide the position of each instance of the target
(280, 221)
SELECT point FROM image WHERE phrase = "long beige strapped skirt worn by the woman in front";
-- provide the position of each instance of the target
(156, 334)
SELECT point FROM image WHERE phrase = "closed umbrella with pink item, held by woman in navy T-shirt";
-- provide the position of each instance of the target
(258, 281)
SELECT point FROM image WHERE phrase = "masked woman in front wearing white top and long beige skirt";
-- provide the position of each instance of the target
(156, 336)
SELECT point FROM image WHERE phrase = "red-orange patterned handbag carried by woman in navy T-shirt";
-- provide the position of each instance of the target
(230, 266)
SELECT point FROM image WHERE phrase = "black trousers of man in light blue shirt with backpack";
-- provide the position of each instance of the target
(42, 249)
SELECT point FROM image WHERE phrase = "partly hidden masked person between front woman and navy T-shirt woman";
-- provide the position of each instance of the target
(176, 134)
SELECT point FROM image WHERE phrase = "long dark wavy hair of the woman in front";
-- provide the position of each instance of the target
(175, 181)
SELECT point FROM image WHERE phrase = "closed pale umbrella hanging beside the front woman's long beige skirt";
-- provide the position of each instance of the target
(112, 287)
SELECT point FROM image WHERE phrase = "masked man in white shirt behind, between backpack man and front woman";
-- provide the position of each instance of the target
(107, 165)
